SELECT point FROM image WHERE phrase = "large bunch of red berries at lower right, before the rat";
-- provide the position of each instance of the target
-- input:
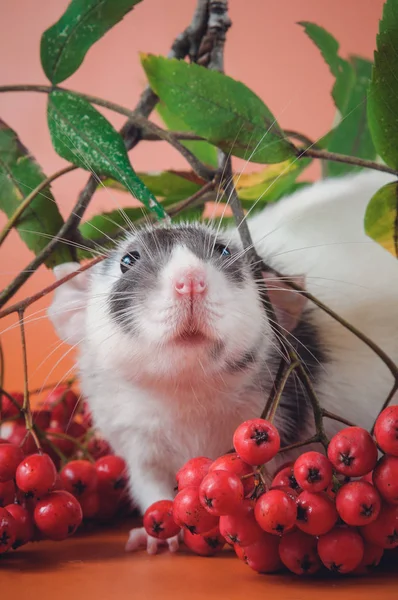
(338, 511)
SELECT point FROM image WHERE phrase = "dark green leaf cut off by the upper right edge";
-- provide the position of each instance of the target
(383, 89)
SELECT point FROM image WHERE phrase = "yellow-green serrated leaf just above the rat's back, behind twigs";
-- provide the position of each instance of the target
(270, 184)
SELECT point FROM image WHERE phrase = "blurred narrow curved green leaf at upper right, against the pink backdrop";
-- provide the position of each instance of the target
(341, 69)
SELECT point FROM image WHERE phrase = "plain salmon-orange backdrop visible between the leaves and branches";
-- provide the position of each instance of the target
(266, 50)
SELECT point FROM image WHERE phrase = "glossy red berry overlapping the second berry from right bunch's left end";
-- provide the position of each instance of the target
(221, 493)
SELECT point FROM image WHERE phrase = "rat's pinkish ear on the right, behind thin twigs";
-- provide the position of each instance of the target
(288, 304)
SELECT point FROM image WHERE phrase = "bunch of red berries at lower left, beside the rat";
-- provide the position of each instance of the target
(47, 492)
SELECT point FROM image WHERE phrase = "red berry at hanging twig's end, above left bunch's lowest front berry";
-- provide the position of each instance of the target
(36, 475)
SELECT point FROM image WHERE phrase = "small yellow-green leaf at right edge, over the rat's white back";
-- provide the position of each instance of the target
(381, 218)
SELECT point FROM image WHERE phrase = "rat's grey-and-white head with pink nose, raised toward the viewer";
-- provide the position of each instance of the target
(167, 301)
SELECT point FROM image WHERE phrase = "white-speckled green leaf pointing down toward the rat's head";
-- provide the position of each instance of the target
(81, 135)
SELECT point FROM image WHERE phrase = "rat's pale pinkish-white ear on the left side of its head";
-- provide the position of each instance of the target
(68, 306)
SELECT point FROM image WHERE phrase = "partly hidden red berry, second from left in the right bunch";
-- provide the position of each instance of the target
(189, 513)
